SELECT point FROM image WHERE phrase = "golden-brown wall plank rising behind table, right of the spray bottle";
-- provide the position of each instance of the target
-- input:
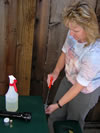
(26, 17)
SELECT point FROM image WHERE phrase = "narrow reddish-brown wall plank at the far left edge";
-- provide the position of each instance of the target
(2, 47)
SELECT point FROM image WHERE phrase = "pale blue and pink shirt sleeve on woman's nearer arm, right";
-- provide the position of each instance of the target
(90, 66)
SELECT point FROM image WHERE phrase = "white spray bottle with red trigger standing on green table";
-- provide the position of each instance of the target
(12, 95)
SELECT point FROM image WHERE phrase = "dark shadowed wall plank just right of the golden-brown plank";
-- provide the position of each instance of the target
(41, 40)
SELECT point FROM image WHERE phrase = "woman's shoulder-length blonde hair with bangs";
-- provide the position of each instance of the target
(82, 14)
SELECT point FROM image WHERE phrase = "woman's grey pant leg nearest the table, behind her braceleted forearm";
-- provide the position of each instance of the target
(59, 114)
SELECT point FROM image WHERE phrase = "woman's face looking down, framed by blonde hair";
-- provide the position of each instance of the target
(77, 32)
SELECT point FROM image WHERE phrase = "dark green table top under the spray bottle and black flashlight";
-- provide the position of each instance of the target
(38, 123)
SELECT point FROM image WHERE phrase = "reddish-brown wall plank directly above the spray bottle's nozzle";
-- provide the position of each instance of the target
(11, 37)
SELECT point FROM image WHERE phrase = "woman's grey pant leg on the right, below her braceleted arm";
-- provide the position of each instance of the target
(79, 107)
